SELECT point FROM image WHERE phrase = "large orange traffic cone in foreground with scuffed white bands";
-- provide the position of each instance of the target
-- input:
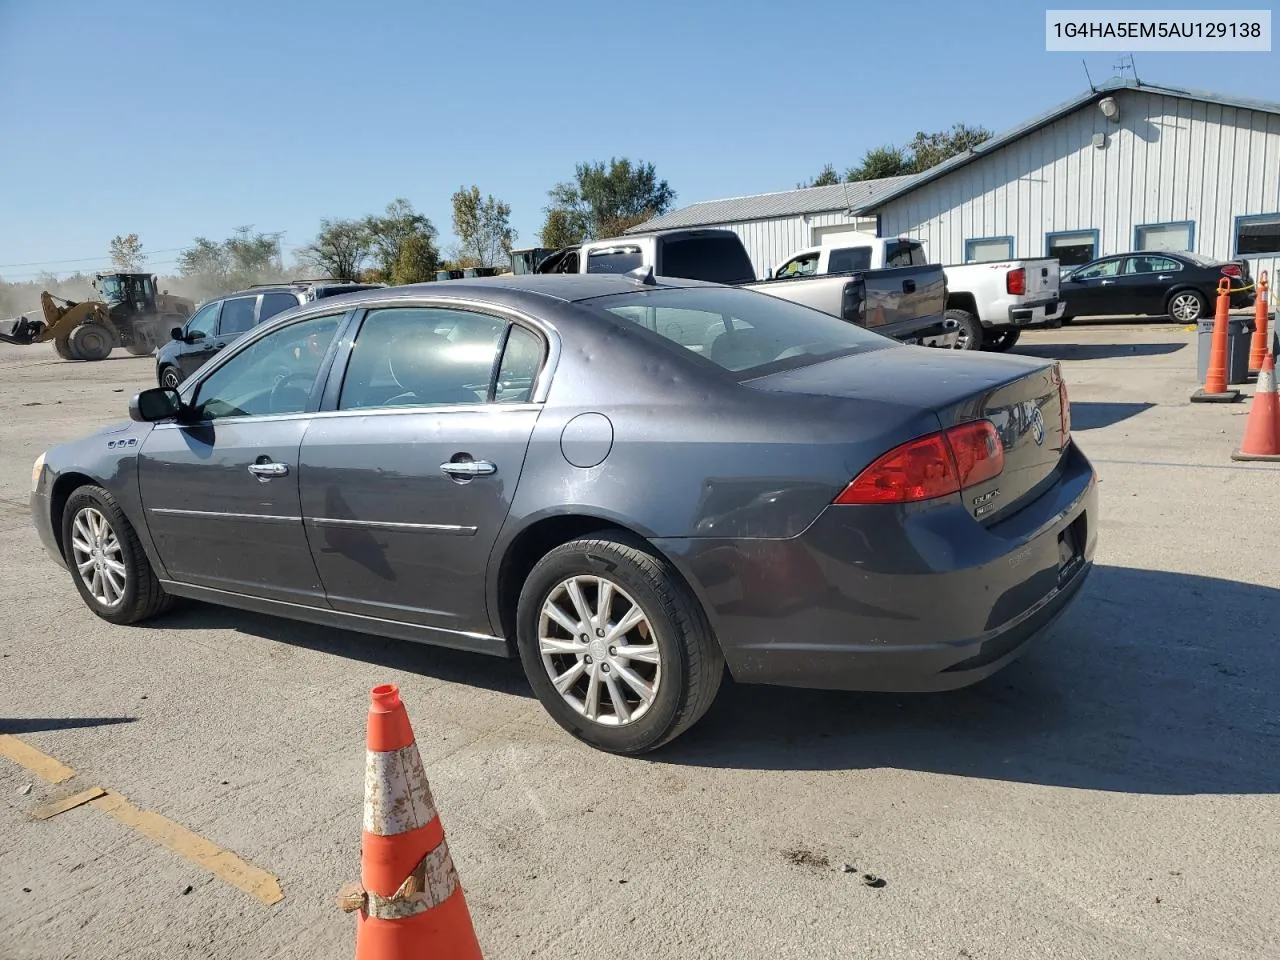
(410, 902)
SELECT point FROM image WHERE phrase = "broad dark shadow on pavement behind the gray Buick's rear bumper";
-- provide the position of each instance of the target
(1154, 683)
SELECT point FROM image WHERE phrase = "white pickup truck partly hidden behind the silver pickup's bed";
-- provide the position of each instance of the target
(991, 303)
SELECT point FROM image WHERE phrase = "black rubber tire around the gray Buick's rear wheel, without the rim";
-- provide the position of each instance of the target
(692, 662)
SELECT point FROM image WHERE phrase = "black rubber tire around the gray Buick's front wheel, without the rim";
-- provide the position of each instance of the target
(143, 597)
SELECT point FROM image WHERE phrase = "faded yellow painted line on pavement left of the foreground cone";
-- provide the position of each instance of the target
(222, 863)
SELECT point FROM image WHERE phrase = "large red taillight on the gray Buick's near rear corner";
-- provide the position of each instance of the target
(931, 467)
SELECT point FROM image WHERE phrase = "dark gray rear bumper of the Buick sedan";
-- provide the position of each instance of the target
(897, 600)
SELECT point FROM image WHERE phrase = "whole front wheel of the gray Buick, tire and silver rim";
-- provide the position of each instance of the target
(111, 570)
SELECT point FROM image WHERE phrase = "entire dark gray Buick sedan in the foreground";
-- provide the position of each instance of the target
(629, 484)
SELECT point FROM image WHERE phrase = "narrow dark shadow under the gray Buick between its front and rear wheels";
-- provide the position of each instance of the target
(440, 662)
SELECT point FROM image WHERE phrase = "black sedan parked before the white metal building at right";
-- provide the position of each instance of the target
(1180, 286)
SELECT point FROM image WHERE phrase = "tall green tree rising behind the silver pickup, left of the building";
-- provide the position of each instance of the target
(605, 199)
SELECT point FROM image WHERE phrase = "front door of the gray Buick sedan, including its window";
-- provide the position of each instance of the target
(221, 490)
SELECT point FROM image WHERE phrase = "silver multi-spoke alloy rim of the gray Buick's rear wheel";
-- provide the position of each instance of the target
(600, 651)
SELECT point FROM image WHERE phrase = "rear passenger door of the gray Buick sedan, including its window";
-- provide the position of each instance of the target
(409, 474)
